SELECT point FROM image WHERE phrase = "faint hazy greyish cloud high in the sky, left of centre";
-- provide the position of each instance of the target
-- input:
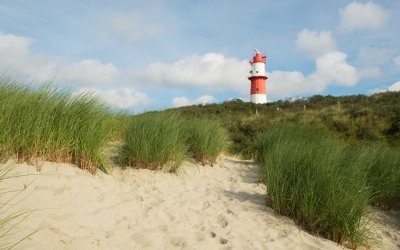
(130, 27)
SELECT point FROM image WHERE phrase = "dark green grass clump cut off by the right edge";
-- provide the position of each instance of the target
(384, 175)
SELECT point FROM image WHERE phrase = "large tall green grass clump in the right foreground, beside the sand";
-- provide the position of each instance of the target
(316, 180)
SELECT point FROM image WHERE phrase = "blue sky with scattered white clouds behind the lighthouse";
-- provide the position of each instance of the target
(145, 55)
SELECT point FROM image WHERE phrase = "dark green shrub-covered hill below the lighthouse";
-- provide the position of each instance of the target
(355, 119)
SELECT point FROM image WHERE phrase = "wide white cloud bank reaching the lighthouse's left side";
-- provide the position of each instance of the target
(212, 71)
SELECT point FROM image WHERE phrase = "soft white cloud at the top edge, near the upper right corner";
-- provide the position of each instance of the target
(359, 16)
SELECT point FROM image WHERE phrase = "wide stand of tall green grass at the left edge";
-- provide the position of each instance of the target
(43, 123)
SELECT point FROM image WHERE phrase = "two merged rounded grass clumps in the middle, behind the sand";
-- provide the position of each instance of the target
(163, 140)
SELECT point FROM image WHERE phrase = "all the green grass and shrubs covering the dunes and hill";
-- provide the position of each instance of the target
(324, 160)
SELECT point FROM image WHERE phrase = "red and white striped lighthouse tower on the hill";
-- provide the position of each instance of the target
(258, 78)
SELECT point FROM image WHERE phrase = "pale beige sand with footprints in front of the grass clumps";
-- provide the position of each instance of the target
(201, 207)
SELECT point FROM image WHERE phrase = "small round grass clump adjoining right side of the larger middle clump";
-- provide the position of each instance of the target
(206, 139)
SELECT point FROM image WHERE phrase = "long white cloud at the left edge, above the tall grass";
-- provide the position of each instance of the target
(18, 60)
